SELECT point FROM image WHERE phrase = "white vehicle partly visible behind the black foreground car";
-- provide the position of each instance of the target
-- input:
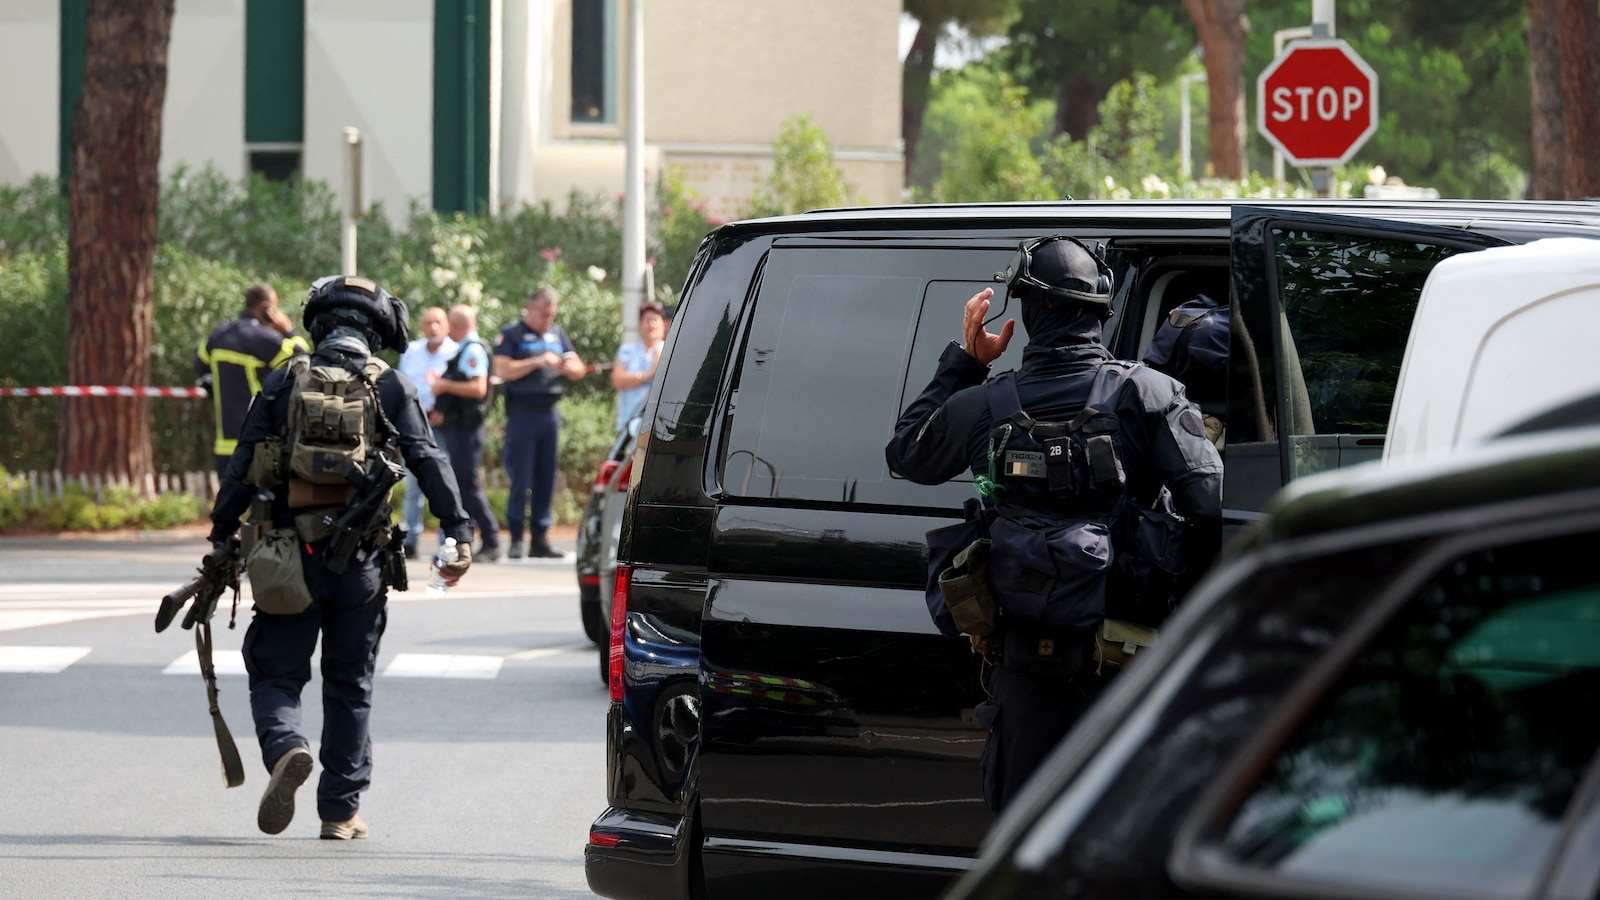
(1502, 339)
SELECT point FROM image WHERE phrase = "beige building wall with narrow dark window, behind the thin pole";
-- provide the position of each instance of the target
(721, 79)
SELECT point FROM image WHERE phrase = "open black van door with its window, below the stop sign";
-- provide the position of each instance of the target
(1324, 310)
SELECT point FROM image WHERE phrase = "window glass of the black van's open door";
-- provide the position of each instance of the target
(1346, 313)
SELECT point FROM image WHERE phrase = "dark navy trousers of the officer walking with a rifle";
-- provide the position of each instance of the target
(350, 611)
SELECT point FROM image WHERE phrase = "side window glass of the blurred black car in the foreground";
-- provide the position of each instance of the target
(1446, 757)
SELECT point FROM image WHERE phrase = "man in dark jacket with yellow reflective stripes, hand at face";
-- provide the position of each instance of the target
(236, 356)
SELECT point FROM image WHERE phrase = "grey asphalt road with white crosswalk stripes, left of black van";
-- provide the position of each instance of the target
(487, 728)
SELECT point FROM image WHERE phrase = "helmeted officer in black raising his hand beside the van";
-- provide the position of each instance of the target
(1076, 459)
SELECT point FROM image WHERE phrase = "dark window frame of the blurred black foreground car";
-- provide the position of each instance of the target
(1198, 859)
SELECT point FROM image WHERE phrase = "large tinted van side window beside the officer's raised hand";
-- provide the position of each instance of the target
(842, 339)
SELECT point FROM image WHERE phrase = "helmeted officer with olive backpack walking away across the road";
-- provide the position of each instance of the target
(318, 457)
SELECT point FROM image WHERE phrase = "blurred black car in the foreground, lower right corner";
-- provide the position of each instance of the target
(1390, 691)
